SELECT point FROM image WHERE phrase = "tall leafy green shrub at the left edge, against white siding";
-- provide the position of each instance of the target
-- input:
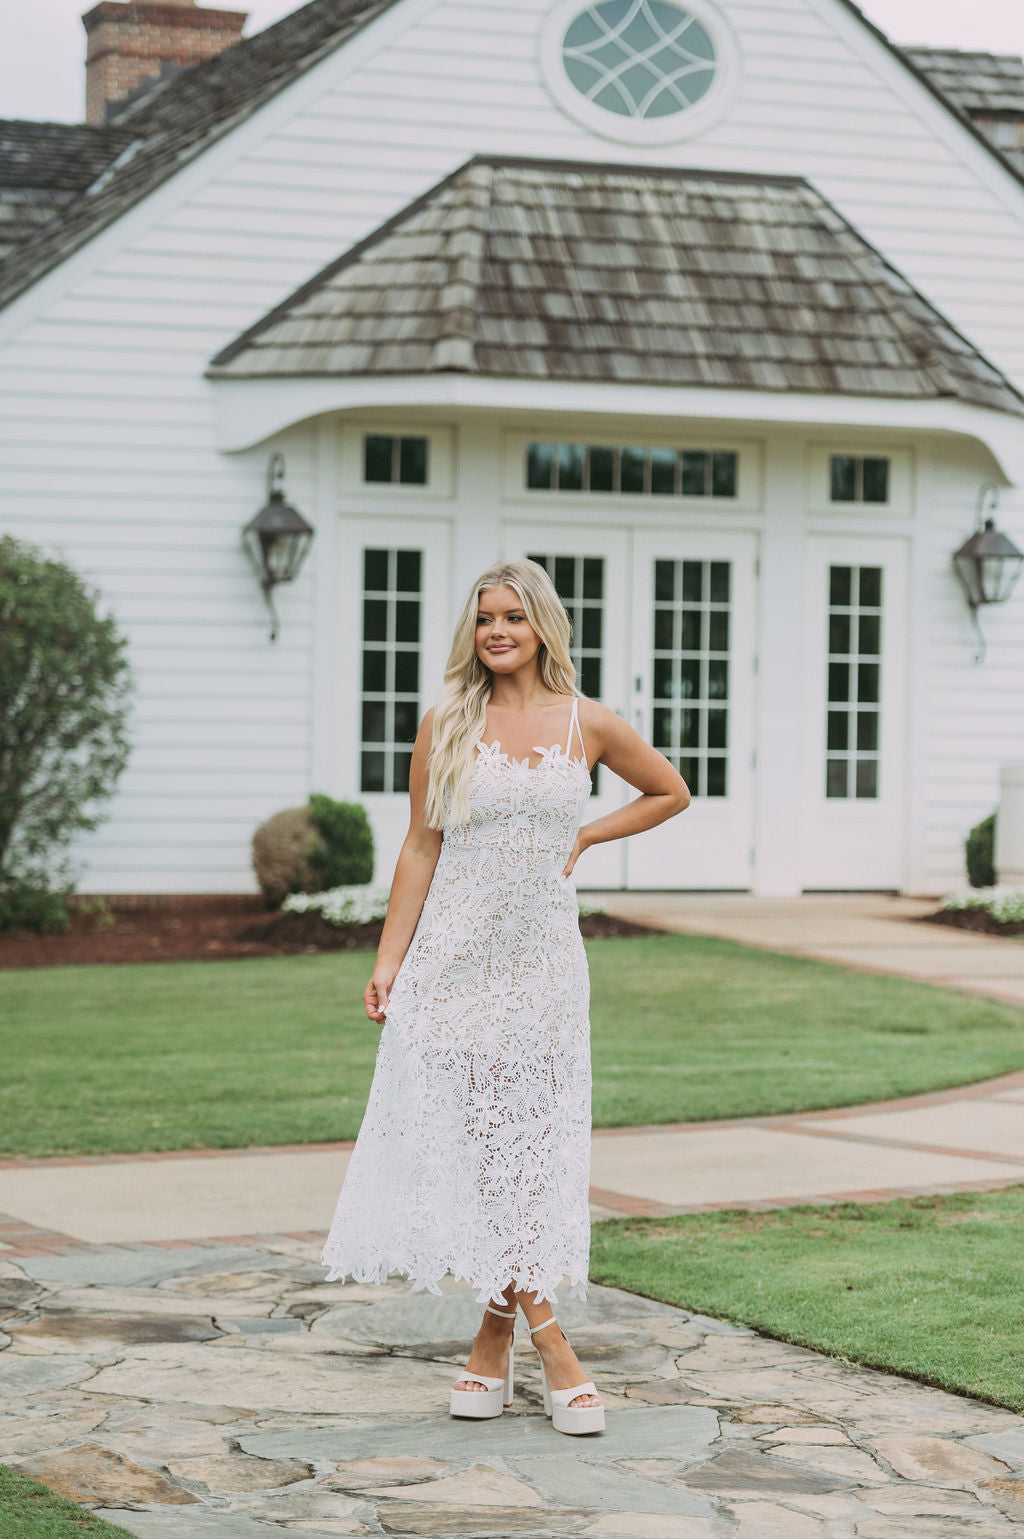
(65, 689)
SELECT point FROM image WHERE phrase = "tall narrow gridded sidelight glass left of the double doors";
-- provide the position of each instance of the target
(390, 667)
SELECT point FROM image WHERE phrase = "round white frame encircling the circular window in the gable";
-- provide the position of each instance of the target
(643, 130)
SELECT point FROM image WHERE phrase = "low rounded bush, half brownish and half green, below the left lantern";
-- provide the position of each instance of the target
(313, 849)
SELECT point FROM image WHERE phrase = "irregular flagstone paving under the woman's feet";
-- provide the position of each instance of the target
(226, 1390)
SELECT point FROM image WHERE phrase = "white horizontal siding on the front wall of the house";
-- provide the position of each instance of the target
(107, 430)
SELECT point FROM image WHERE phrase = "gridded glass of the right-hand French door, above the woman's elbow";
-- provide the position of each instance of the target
(691, 658)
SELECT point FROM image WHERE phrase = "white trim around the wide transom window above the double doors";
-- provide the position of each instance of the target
(748, 455)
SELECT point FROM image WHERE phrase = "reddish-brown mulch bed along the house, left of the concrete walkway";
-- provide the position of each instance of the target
(215, 933)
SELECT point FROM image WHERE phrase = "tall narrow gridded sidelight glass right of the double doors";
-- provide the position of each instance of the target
(855, 646)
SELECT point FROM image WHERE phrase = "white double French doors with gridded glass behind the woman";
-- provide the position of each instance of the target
(674, 653)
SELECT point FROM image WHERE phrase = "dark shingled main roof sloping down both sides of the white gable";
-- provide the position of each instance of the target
(182, 116)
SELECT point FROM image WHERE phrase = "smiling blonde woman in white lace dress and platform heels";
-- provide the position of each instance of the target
(474, 1157)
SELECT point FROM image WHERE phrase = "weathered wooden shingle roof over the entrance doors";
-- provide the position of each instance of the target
(543, 270)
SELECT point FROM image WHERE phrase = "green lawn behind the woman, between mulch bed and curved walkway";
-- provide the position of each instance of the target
(195, 1055)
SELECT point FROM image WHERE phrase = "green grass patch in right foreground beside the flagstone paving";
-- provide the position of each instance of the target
(926, 1287)
